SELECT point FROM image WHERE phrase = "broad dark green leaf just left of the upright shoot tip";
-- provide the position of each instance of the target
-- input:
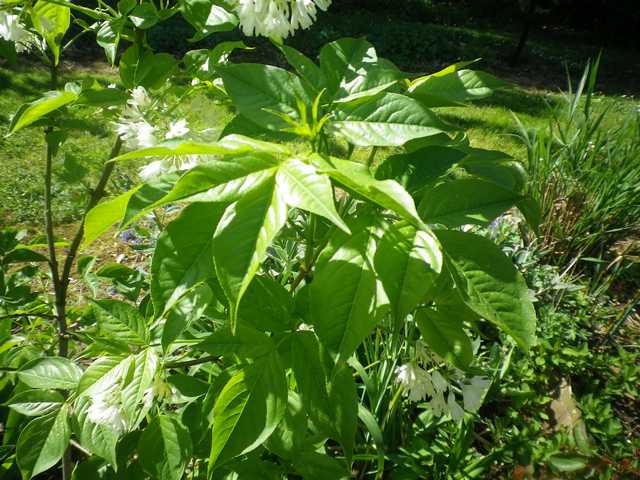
(256, 88)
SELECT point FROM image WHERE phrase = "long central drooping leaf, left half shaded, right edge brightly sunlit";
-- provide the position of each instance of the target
(244, 233)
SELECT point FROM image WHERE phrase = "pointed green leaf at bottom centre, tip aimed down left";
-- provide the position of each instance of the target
(248, 409)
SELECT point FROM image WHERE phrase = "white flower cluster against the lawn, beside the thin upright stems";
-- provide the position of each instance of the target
(137, 132)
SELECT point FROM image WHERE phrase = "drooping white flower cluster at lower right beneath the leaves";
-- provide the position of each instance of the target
(419, 384)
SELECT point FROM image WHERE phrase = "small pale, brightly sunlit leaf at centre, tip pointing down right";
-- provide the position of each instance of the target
(303, 187)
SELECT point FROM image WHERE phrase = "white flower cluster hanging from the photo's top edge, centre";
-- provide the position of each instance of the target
(277, 19)
